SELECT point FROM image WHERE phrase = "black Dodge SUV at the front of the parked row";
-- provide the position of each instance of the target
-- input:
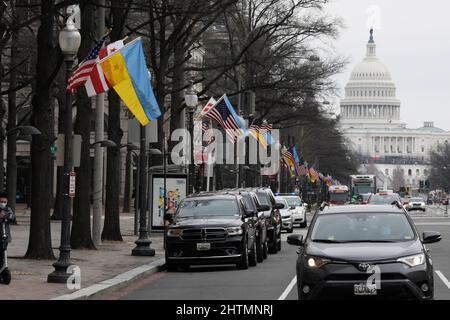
(211, 229)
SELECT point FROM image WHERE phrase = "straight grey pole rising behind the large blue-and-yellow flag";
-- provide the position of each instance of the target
(98, 151)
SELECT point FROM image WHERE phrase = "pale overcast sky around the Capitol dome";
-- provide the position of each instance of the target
(413, 41)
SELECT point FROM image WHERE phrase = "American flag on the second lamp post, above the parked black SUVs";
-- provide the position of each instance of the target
(225, 117)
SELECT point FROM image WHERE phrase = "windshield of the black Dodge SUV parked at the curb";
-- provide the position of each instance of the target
(199, 208)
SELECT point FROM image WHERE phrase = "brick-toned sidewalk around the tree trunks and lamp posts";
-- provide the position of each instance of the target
(112, 258)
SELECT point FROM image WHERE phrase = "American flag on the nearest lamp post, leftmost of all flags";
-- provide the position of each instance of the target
(81, 74)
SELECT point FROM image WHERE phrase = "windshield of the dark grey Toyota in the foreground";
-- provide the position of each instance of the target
(362, 227)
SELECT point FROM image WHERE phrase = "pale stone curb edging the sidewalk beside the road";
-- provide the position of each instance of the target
(110, 285)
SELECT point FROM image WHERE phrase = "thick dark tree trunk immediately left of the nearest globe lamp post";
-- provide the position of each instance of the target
(40, 244)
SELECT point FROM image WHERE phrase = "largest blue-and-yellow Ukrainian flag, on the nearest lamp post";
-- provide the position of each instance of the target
(126, 71)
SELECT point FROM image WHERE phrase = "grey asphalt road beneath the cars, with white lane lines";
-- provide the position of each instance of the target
(275, 277)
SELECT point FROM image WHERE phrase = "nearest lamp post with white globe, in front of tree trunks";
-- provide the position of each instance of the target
(69, 41)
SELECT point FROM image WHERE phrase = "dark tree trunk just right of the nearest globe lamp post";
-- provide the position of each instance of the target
(81, 223)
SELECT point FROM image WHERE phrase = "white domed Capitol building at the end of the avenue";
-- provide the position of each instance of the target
(370, 121)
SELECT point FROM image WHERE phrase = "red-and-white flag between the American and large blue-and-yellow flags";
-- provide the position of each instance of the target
(97, 83)
